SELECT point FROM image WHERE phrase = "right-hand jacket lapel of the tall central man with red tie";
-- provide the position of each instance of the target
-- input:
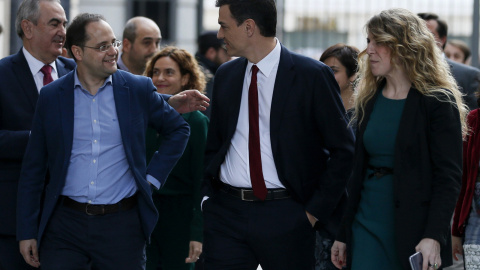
(281, 92)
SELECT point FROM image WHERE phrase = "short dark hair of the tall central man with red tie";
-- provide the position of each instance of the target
(263, 12)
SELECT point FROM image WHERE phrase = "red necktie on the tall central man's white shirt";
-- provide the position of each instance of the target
(254, 157)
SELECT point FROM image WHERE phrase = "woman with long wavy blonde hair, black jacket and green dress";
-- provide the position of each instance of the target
(406, 179)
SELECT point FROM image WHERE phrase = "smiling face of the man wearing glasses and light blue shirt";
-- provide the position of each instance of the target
(99, 64)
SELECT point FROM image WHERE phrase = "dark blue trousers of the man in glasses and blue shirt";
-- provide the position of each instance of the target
(75, 240)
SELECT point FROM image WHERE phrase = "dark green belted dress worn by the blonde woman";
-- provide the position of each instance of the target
(373, 242)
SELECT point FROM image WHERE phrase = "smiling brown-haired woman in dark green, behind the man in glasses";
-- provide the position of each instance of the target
(176, 241)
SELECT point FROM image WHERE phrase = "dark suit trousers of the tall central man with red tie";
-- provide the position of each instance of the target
(275, 234)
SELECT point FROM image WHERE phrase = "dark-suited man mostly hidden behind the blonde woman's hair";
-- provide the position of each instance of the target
(467, 77)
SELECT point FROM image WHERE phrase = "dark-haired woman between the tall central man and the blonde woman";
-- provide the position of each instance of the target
(342, 59)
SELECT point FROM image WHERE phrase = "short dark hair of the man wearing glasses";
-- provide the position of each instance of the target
(76, 32)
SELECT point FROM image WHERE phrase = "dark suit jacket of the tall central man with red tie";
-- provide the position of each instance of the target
(311, 143)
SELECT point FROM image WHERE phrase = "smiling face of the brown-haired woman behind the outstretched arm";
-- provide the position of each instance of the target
(167, 76)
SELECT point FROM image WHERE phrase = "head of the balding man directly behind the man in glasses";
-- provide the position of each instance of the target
(141, 40)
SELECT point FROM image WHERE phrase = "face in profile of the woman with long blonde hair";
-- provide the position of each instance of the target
(380, 58)
